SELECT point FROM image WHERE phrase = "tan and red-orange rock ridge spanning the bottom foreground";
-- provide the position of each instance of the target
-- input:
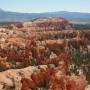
(34, 77)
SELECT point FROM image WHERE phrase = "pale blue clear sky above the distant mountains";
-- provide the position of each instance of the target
(37, 6)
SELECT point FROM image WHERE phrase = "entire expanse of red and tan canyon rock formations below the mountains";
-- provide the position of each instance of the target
(39, 55)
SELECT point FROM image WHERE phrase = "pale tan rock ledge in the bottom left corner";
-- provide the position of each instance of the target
(11, 79)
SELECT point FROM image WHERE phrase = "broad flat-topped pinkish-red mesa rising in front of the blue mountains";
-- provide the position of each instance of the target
(55, 23)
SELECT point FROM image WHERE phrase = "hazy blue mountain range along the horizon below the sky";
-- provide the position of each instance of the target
(75, 17)
